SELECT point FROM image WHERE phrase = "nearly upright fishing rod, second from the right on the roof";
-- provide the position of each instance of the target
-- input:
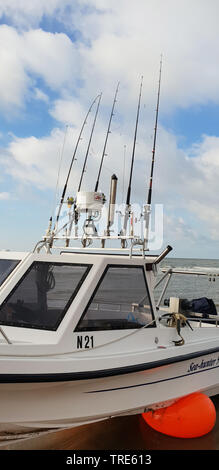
(128, 197)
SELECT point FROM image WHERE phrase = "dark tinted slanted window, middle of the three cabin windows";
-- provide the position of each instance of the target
(43, 295)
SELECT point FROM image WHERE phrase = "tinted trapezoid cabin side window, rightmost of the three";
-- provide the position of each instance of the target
(121, 301)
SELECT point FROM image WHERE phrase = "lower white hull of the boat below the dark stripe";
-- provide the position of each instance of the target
(68, 403)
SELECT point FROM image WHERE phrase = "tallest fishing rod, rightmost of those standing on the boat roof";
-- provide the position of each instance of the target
(147, 208)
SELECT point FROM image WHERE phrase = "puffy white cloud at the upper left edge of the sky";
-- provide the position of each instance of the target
(30, 55)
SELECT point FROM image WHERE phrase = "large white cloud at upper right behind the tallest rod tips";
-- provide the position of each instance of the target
(125, 39)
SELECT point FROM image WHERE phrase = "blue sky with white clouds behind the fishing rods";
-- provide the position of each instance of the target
(56, 56)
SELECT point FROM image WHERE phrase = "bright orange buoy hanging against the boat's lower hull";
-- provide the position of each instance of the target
(191, 416)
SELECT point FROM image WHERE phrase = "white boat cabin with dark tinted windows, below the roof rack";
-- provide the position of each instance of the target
(80, 291)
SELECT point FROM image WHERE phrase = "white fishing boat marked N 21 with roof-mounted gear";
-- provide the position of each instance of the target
(81, 338)
